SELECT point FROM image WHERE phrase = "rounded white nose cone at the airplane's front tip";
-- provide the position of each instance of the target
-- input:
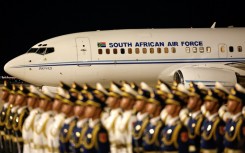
(12, 67)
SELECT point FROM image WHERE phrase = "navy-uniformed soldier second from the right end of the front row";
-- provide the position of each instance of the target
(213, 126)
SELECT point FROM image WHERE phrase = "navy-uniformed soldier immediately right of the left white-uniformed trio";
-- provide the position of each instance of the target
(69, 123)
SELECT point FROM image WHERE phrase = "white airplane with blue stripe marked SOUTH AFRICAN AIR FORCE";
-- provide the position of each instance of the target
(193, 54)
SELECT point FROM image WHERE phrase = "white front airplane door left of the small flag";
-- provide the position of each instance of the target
(83, 51)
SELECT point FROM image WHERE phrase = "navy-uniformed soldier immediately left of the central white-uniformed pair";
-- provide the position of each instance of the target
(94, 136)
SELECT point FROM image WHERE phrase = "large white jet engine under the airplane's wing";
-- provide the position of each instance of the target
(206, 75)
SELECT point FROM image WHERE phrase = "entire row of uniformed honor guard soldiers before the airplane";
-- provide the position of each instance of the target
(123, 118)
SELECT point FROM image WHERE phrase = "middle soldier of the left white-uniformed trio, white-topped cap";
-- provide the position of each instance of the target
(41, 119)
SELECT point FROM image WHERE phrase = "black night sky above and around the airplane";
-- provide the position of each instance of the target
(25, 22)
